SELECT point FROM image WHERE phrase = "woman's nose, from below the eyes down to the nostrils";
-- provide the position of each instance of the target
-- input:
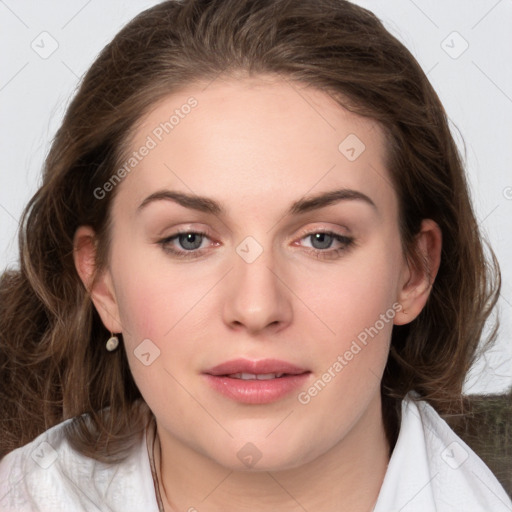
(257, 297)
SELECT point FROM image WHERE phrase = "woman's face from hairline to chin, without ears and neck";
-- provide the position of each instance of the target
(297, 270)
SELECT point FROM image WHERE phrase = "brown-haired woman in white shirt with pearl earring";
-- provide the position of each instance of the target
(252, 277)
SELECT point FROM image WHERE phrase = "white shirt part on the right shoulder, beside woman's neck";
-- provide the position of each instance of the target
(431, 468)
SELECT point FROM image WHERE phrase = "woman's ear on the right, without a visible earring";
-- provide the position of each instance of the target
(418, 276)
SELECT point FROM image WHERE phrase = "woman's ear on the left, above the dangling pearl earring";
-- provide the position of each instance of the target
(99, 285)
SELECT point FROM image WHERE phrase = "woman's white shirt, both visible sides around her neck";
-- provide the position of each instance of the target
(430, 470)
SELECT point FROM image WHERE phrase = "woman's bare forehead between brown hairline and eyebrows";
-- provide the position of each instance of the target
(259, 138)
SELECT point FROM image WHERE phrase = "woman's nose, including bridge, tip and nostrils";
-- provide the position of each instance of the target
(257, 298)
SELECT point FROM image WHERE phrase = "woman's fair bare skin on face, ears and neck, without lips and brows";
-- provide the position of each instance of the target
(256, 145)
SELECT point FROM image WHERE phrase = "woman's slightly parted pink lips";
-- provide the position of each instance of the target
(256, 382)
